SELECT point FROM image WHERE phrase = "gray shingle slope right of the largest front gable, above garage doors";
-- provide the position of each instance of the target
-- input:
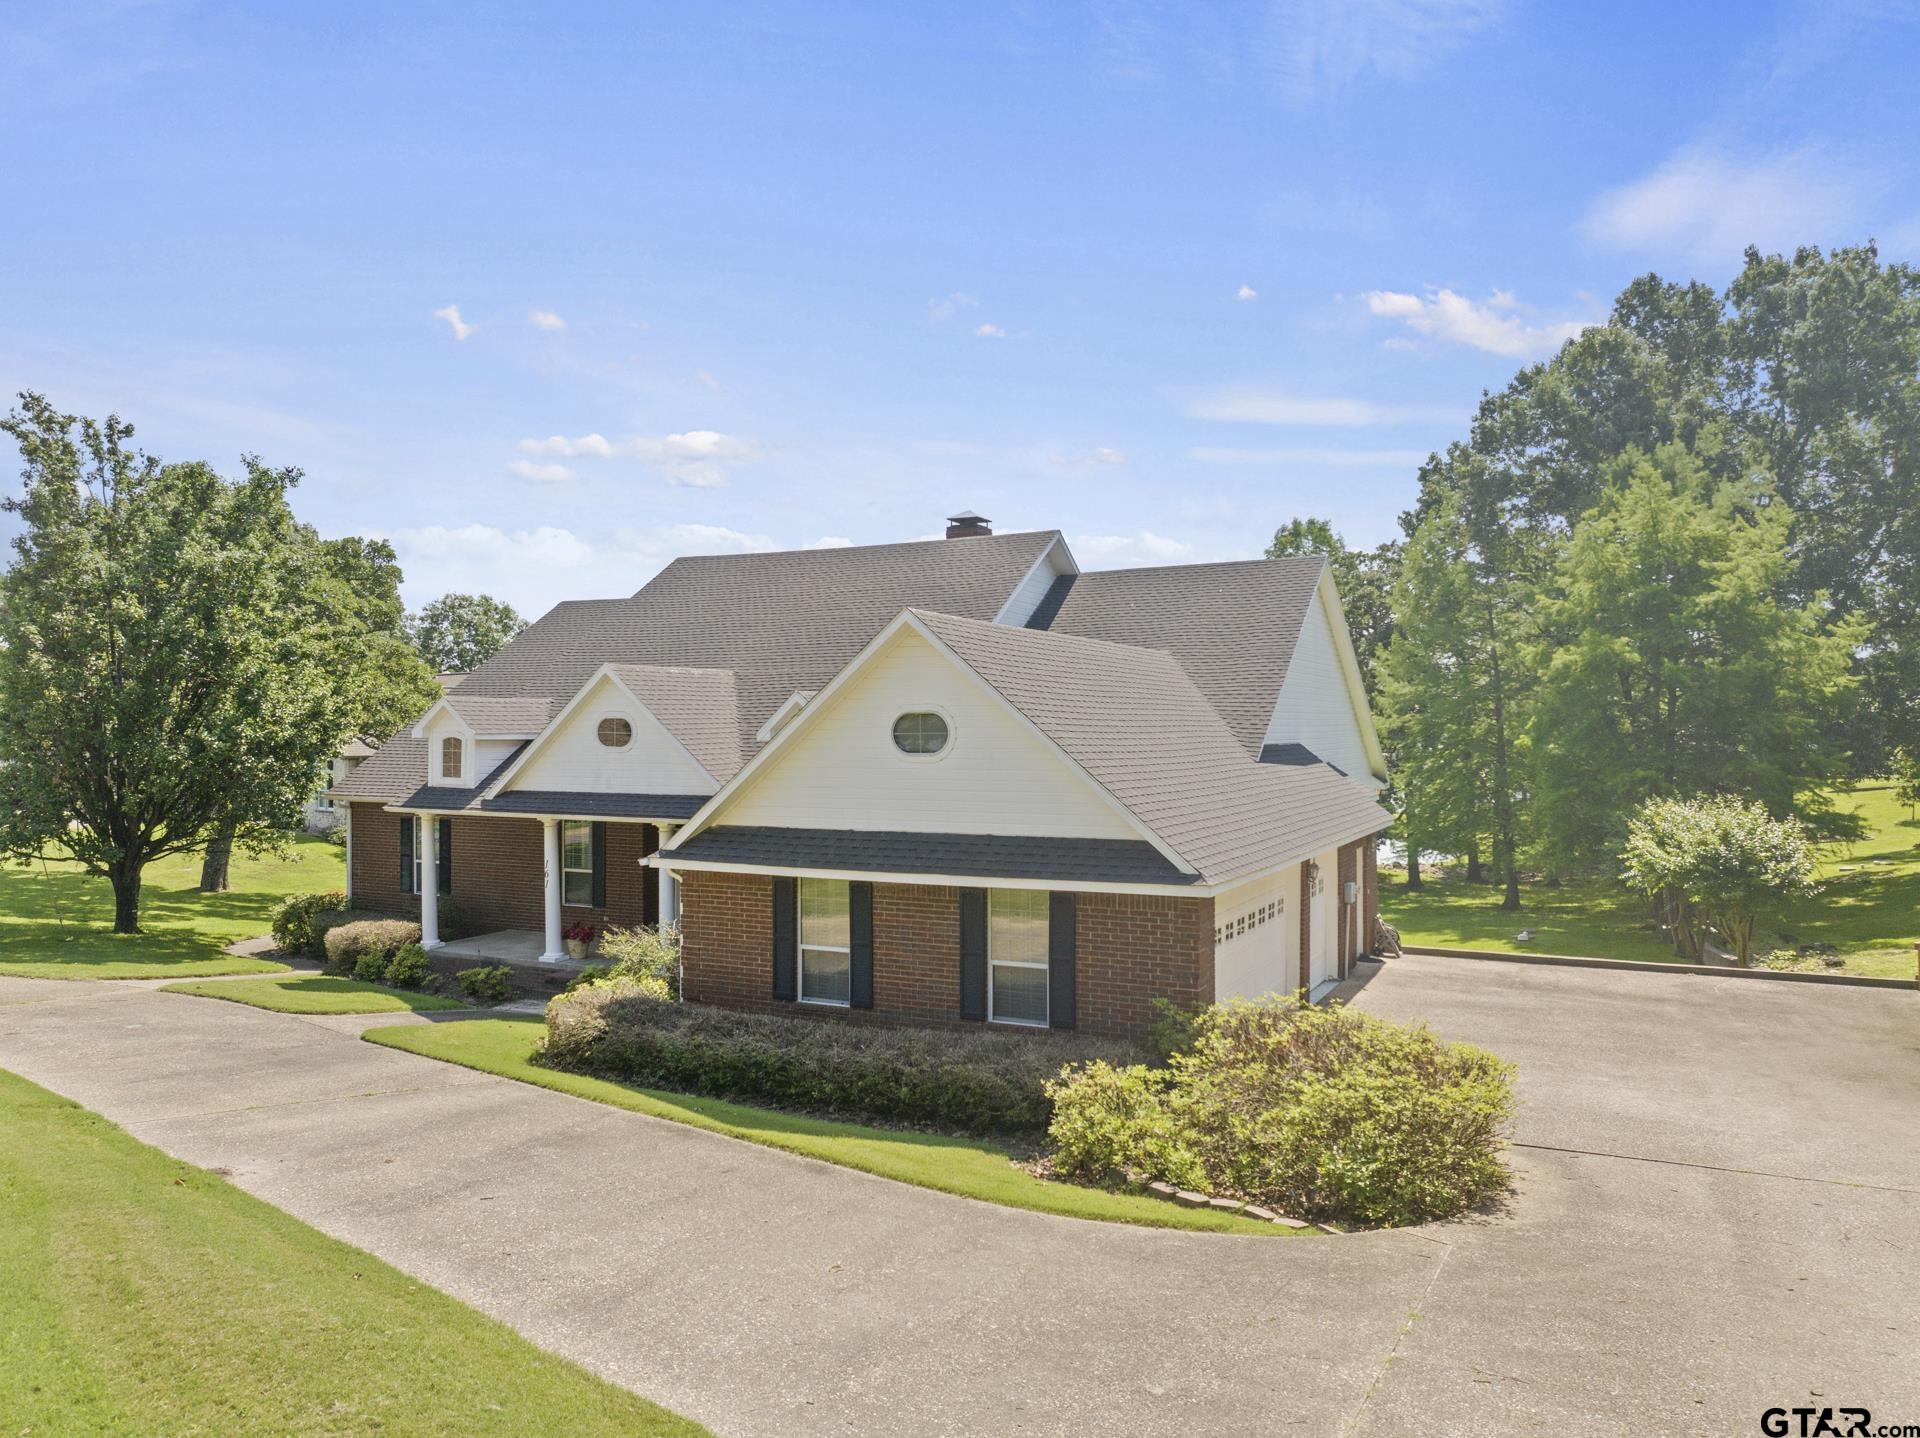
(1147, 734)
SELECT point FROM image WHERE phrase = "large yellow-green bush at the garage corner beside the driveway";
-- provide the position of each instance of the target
(1316, 1113)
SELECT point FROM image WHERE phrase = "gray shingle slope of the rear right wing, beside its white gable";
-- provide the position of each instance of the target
(1232, 627)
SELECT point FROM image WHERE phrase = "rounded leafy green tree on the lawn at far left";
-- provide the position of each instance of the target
(164, 656)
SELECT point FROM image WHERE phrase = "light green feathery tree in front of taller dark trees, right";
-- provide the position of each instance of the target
(1671, 663)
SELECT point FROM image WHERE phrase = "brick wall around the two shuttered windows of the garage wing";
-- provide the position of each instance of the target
(1132, 949)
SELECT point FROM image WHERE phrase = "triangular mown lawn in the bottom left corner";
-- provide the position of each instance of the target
(147, 1297)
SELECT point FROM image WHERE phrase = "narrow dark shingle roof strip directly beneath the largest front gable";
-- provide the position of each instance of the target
(974, 855)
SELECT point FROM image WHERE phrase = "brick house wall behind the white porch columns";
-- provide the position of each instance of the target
(498, 873)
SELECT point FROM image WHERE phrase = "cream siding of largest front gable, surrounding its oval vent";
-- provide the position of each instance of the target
(996, 777)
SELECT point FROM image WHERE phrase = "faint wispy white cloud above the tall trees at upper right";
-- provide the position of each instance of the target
(1712, 206)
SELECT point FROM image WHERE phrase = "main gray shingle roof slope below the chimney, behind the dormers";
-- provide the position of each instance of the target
(780, 623)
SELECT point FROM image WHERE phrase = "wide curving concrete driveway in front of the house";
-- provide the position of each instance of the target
(1719, 1212)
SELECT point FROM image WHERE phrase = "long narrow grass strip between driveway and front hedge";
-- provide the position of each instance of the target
(955, 1166)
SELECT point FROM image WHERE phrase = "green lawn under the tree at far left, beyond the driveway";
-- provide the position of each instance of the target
(59, 923)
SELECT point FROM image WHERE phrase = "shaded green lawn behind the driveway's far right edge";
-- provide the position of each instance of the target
(1869, 907)
